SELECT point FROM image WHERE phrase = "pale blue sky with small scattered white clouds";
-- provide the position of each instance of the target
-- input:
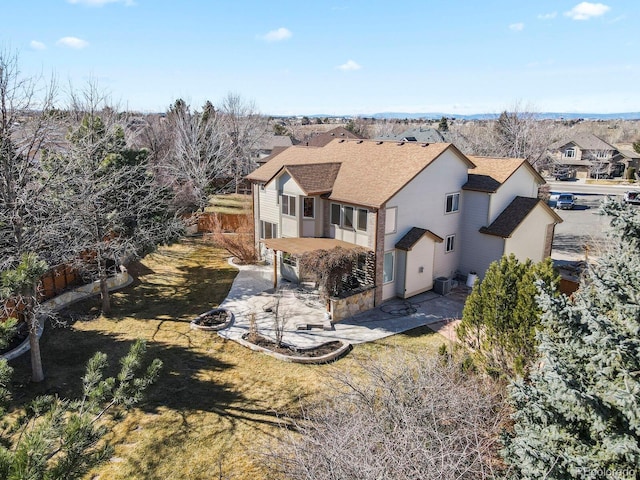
(339, 57)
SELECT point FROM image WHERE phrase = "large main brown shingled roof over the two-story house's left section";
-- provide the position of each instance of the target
(371, 172)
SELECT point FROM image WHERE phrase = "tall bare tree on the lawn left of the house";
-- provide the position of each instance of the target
(117, 211)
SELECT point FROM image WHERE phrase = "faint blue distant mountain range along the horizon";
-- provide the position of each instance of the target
(490, 116)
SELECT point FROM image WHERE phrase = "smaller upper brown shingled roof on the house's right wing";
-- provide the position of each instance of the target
(490, 173)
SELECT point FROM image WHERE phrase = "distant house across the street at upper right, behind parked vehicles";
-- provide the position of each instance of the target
(588, 155)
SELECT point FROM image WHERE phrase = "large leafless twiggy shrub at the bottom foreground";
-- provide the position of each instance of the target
(399, 417)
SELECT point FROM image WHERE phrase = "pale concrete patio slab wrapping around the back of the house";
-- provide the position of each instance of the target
(252, 294)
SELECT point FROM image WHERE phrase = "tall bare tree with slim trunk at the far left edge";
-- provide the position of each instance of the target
(31, 223)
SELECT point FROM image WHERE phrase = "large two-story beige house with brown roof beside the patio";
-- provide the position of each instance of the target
(424, 211)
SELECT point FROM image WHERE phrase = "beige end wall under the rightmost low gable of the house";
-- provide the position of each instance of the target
(528, 240)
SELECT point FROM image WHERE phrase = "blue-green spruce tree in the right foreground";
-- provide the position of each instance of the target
(578, 416)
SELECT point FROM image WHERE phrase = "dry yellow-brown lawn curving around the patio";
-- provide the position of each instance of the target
(216, 405)
